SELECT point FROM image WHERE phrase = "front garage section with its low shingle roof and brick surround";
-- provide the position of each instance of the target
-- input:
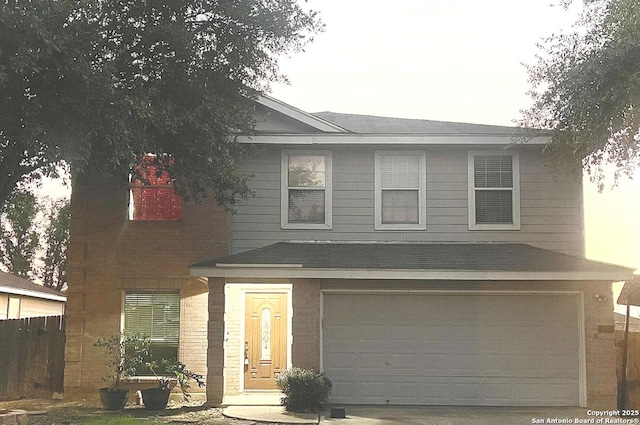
(493, 324)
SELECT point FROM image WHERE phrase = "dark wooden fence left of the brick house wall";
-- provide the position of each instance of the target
(31, 356)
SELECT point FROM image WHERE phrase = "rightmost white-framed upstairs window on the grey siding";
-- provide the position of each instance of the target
(494, 191)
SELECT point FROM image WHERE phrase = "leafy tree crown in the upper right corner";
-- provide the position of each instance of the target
(586, 90)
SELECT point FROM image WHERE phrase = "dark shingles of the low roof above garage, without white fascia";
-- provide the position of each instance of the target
(510, 257)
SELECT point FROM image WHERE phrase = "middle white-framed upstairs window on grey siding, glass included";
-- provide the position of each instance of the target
(400, 197)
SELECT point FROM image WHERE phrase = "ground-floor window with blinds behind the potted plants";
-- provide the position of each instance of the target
(156, 315)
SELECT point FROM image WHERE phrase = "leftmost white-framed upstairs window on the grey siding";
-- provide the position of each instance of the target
(306, 190)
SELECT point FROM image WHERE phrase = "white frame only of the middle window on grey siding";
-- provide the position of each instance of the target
(422, 194)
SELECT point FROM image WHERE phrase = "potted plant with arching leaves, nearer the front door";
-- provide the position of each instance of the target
(173, 373)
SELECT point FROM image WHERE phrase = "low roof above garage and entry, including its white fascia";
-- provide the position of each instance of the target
(467, 261)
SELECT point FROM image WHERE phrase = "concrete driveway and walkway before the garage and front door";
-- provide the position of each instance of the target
(416, 415)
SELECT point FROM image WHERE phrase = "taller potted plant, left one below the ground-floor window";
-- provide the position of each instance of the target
(124, 353)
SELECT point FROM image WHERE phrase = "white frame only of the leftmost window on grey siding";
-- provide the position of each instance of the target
(284, 191)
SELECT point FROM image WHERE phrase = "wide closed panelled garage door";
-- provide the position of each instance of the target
(462, 349)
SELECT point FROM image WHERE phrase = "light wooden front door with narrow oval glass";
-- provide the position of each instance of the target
(265, 347)
